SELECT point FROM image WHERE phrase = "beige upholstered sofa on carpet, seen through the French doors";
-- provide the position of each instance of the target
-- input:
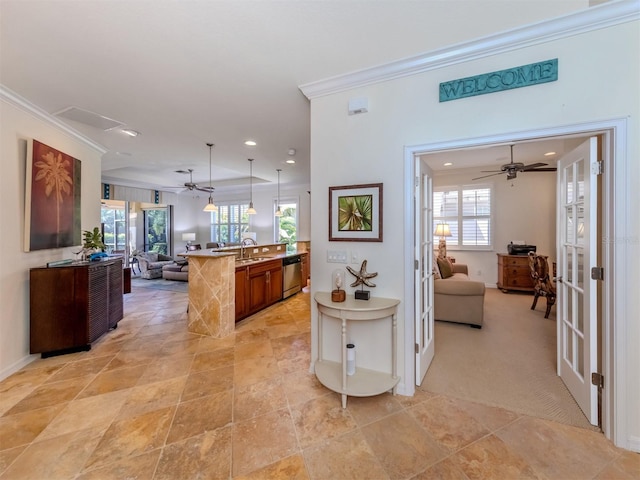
(457, 298)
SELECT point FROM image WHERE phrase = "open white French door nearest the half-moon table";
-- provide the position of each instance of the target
(423, 284)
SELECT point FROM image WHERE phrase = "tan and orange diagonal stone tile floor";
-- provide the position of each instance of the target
(152, 401)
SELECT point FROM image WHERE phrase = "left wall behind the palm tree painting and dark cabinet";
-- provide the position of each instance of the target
(19, 124)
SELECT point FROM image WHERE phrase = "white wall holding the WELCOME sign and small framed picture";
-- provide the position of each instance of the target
(598, 79)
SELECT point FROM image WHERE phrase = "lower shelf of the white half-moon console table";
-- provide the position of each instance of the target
(364, 383)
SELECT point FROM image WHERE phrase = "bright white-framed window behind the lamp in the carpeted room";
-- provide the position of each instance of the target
(467, 210)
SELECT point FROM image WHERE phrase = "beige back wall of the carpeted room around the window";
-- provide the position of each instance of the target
(524, 209)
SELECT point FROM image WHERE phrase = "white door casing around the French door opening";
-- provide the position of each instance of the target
(613, 133)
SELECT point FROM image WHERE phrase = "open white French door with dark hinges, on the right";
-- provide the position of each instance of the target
(577, 302)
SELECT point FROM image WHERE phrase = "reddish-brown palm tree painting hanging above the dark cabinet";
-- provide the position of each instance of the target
(52, 198)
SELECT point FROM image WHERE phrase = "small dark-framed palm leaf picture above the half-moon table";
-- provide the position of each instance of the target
(355, 213)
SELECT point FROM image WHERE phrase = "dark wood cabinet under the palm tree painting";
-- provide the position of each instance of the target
(71, 306)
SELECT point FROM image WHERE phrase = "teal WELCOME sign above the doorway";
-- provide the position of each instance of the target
(516, 77)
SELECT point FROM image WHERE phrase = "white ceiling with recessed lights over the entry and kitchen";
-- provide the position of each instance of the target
(184, 73)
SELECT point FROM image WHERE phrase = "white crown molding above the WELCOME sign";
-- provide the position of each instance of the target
(594, 18)
